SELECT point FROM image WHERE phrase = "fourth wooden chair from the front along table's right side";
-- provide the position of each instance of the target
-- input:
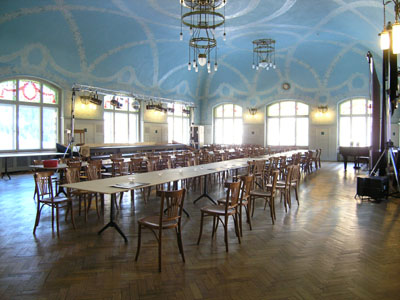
(267, 194)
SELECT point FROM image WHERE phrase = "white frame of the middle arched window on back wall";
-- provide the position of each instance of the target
(296, 117)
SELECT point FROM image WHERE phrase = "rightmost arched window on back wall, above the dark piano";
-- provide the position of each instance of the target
(355, 122)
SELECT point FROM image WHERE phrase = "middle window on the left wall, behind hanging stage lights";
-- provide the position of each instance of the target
(121, 124)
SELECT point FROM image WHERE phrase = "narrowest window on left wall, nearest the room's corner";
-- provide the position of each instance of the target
(178, 123)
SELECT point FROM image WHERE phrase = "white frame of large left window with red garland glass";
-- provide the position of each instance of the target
(17, 104)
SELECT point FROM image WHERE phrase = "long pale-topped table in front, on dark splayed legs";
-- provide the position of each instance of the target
(109, 186)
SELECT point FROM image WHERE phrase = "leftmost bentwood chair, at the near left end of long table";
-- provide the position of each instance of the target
(45, 196)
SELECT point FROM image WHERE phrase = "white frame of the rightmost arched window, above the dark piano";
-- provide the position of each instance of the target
(367, 115)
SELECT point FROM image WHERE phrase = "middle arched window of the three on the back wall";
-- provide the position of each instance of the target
(287, 124)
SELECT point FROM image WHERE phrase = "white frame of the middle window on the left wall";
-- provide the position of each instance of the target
(128, 112)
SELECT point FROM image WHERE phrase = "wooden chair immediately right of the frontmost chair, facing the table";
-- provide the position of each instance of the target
(229, 208)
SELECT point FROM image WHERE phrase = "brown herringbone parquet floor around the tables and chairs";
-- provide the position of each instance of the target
(330, 247)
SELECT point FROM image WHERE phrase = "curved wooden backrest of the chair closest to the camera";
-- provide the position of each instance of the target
(171, 205)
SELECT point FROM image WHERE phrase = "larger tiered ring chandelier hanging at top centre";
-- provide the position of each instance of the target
(202, 19)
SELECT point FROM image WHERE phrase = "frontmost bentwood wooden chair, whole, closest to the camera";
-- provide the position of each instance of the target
(169, 217)
